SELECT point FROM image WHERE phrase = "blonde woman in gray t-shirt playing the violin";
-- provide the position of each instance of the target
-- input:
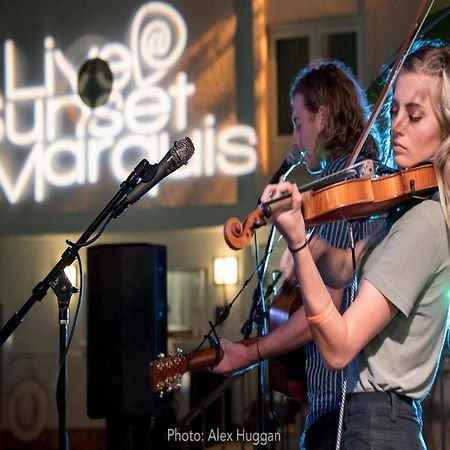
(395, 328)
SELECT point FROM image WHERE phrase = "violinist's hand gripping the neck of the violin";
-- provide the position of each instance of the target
(289, 223)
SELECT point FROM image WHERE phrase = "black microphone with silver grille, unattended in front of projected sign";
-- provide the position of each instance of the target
(178, 155)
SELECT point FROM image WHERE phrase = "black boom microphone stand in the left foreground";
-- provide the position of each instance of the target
(57, 280)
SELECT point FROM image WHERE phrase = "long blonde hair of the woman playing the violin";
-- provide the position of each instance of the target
(434, 61)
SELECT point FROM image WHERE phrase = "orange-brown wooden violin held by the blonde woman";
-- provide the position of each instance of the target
(344, 200)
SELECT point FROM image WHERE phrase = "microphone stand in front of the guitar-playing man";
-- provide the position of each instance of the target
(259, 315)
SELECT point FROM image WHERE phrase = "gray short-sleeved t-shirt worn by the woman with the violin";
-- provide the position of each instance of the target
(411, 268)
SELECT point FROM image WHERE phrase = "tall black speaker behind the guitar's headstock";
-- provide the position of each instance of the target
(126, 328)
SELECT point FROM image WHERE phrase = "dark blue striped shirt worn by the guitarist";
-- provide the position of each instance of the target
(323, 386)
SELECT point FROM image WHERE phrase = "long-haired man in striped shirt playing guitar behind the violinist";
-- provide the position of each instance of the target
(329, 113)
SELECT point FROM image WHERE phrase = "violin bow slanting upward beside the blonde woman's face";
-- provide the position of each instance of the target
(413, 32)
